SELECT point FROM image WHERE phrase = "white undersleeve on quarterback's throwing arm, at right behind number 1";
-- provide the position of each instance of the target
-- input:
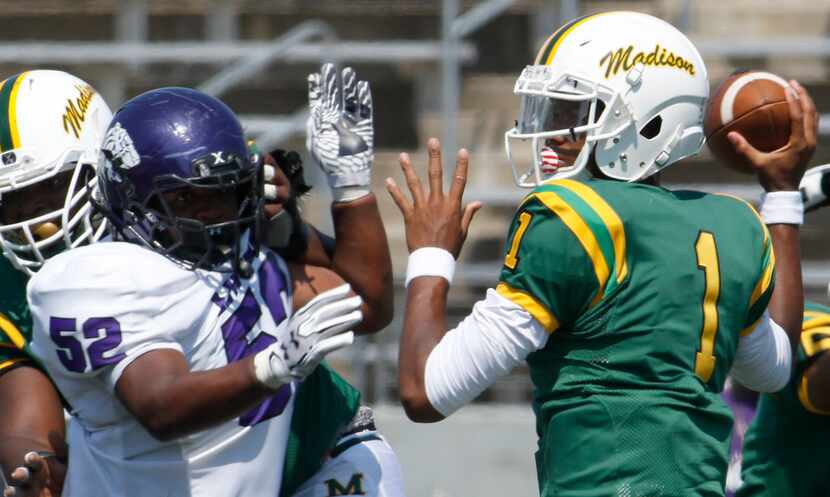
(762, 362)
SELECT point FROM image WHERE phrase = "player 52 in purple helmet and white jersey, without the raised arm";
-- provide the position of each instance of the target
(176, 347)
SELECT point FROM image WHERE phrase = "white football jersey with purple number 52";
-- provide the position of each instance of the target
(98, 308)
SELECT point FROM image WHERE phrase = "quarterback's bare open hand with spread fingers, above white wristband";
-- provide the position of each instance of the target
(434, 219)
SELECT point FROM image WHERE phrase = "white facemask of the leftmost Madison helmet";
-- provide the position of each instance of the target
(68, 222)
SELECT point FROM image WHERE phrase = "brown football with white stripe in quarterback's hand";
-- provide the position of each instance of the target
(752, 103)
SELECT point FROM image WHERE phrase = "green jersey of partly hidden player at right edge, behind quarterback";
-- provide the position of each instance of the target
(786, 445)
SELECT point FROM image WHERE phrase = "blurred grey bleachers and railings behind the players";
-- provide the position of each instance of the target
(441, 68)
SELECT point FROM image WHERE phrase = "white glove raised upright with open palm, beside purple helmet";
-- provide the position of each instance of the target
(340, 131)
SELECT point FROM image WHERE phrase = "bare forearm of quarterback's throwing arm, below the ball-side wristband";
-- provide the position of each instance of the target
(787, 302)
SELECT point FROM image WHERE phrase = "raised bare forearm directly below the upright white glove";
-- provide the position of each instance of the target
(361, 257)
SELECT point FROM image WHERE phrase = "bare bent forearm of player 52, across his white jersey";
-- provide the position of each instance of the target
(181, 403)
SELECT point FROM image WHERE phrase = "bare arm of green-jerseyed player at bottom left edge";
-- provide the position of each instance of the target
(31, 414)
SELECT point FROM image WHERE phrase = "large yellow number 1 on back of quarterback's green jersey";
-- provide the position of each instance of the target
(707, 260)
